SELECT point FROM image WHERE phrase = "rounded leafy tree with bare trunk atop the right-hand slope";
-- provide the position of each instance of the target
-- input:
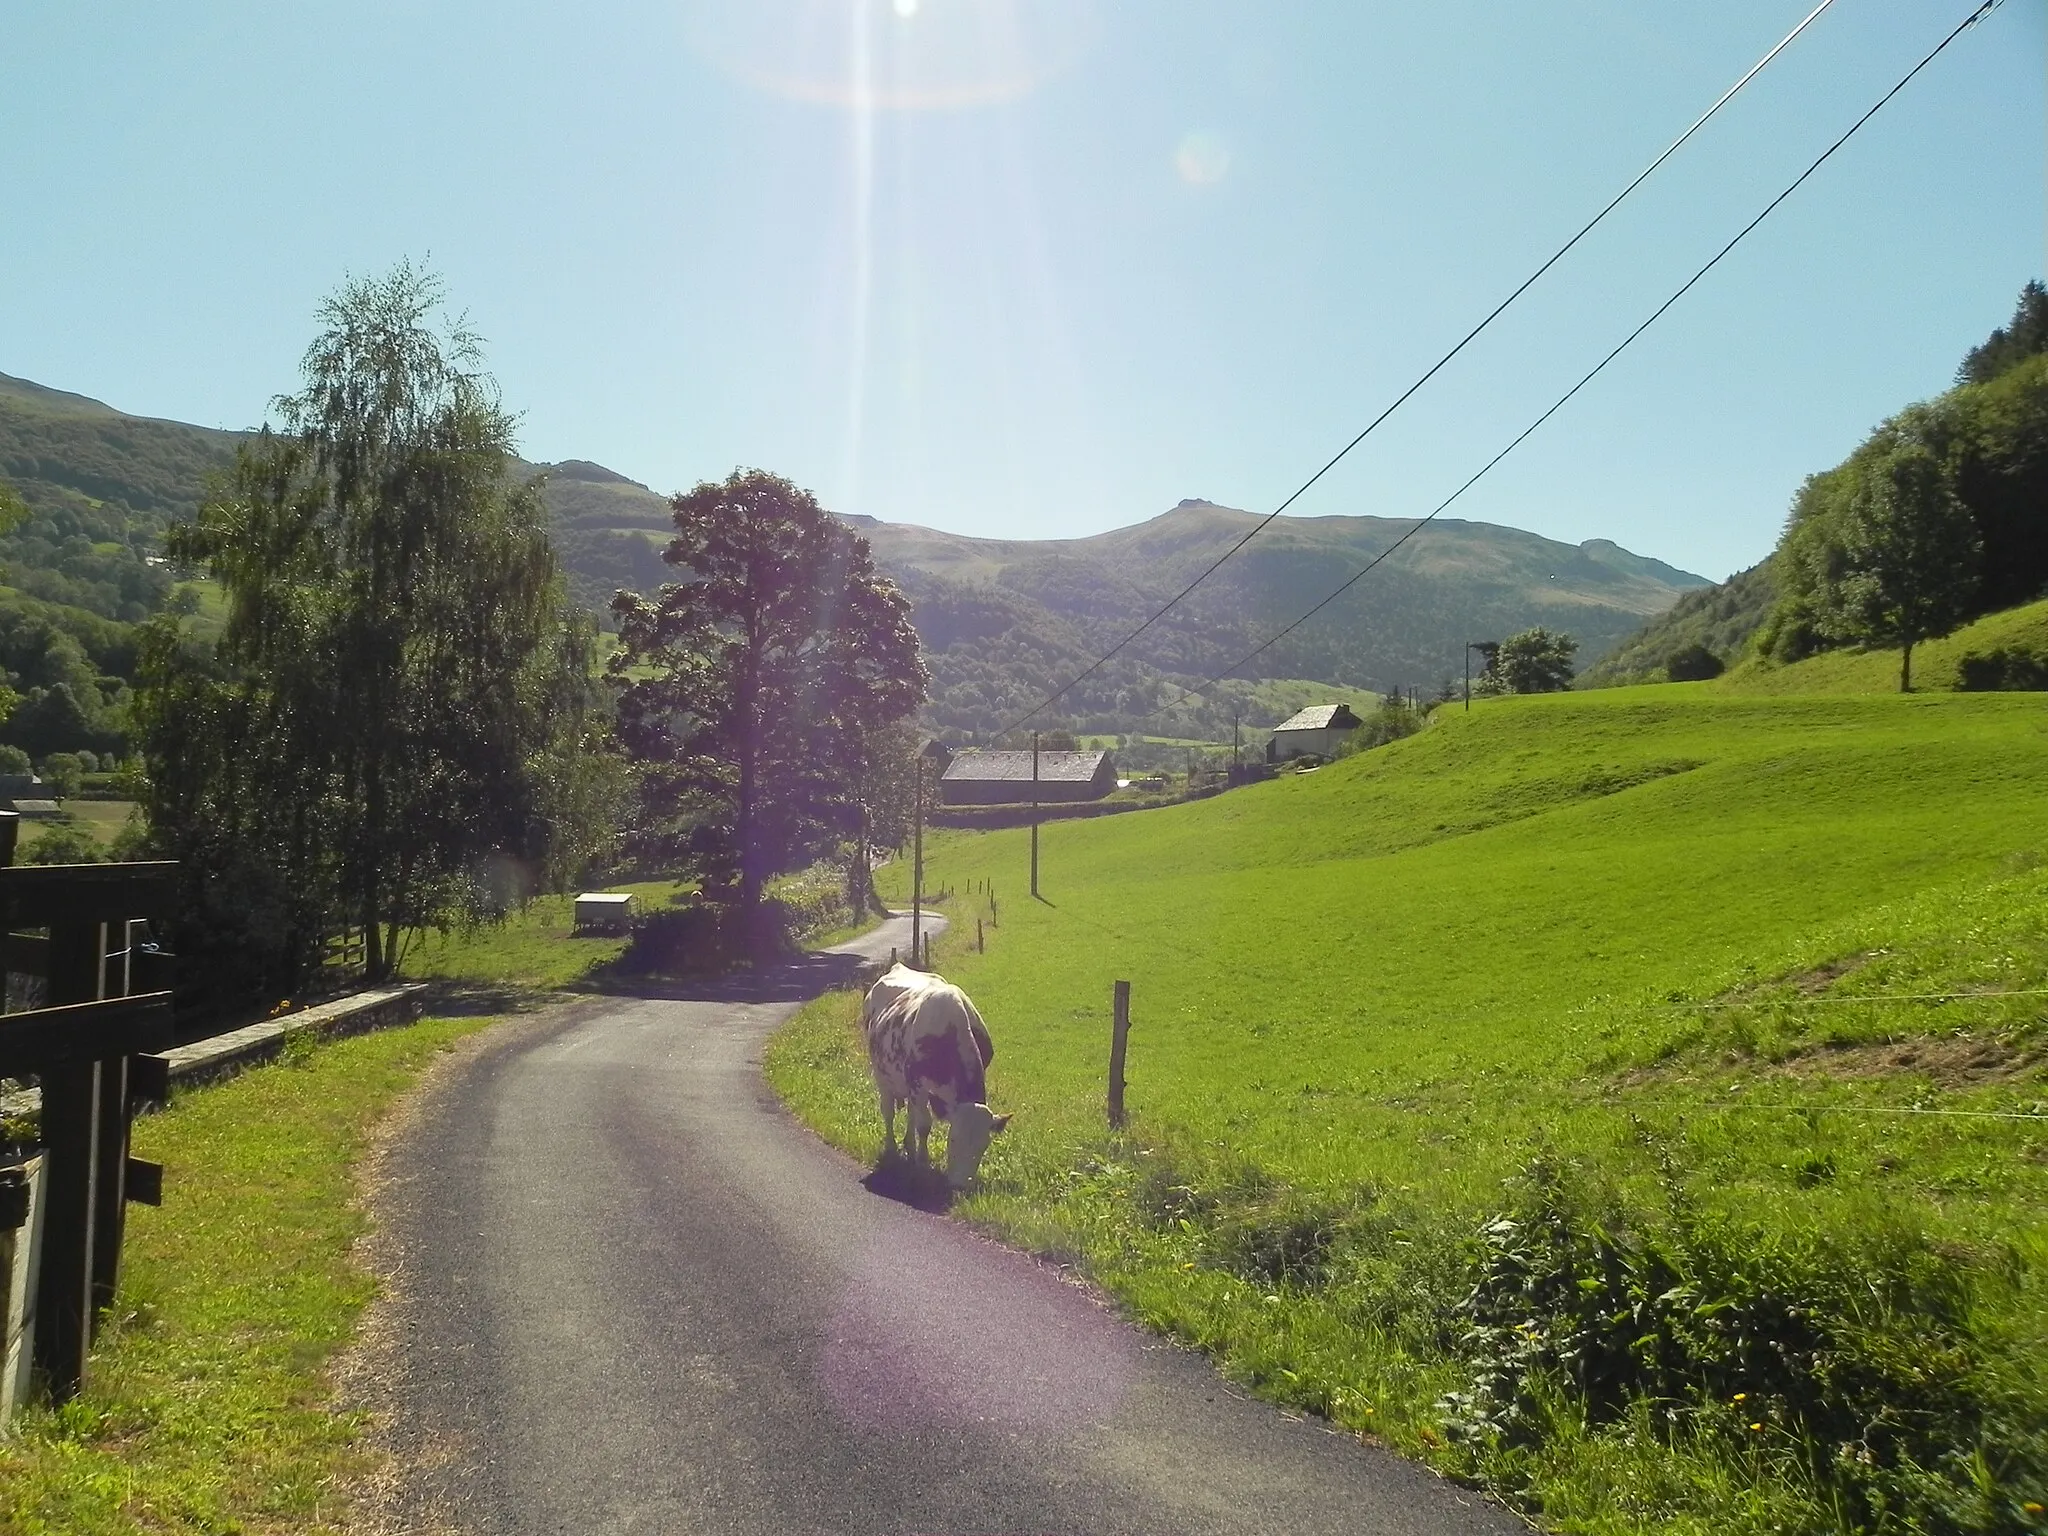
(1893, 558)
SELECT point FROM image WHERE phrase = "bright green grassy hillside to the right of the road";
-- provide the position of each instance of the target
(1594, 1095)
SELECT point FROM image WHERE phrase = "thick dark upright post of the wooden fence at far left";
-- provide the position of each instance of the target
(73, 1146)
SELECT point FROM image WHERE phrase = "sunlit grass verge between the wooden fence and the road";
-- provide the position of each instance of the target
(208, 1402)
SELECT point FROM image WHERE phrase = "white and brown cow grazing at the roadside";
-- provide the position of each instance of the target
(931, 1050)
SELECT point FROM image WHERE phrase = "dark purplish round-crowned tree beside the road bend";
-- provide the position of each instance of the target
(759, 689)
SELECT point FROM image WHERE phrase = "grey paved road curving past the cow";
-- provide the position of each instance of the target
(638, 1297)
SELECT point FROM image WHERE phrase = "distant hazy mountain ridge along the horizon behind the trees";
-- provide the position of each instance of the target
(1005, 620)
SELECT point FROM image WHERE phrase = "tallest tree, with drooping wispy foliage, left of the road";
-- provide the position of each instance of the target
(392, 726)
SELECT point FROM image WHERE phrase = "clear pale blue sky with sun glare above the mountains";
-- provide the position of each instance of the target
(1060, 263)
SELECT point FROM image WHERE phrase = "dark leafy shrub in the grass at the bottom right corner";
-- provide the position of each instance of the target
(1863, 1359)
